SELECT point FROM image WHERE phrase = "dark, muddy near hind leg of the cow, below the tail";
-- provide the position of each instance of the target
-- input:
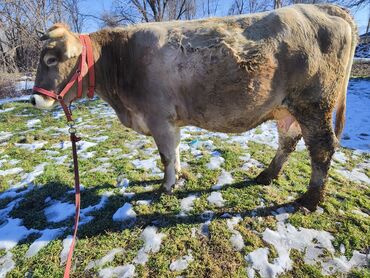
(321, 143)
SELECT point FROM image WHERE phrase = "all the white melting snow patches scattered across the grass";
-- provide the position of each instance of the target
(284, 239)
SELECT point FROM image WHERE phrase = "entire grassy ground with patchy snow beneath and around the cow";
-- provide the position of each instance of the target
(217, 222)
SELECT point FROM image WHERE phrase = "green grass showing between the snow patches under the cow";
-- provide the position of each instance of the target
(213, 256)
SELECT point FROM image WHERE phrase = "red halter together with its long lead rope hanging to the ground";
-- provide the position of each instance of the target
(87, 58)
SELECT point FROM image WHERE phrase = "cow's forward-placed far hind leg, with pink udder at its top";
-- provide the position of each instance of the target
(289, 135)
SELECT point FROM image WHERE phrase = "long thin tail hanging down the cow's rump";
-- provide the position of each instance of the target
(341, 102)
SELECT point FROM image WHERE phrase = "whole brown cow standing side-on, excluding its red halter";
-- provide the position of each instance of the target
(223, 74)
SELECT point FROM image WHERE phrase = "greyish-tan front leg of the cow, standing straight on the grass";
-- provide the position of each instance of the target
(167, 138)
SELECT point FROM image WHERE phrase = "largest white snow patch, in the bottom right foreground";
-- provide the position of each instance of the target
(311, 242)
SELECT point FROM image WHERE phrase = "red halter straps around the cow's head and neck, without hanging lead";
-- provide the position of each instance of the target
(86, 65)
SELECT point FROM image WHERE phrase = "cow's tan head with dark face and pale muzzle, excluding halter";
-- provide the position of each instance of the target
(58, 62)
